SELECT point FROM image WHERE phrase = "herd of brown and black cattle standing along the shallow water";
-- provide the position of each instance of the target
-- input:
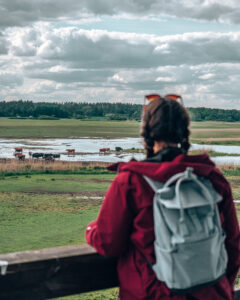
(52, 156)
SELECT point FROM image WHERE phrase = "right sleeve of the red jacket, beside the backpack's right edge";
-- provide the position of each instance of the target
(231, 227)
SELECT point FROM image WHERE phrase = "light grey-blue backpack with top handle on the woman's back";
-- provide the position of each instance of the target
(189, 240)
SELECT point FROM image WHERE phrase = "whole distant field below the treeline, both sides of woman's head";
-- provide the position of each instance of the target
(207, 132)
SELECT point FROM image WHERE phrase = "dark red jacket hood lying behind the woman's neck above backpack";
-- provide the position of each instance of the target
(162, 171)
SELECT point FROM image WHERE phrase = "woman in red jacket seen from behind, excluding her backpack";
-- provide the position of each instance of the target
(124, 227)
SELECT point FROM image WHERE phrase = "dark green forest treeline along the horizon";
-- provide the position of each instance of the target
(109, 111)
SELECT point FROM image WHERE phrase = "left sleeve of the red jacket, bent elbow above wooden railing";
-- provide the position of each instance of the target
(110, 233)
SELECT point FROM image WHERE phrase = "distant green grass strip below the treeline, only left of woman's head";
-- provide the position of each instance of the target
(67, 128)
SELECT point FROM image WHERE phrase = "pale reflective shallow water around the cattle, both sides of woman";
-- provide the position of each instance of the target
(89, 149)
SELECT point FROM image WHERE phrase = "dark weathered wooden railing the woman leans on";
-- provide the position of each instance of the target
(56, 272)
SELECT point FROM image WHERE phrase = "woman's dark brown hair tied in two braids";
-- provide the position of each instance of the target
(165, 120)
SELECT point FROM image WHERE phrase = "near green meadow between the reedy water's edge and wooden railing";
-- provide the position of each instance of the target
(48, 210)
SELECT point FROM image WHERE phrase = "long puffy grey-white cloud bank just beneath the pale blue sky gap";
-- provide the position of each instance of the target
(102, 49)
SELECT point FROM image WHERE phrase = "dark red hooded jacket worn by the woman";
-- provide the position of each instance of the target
(124, 228)
